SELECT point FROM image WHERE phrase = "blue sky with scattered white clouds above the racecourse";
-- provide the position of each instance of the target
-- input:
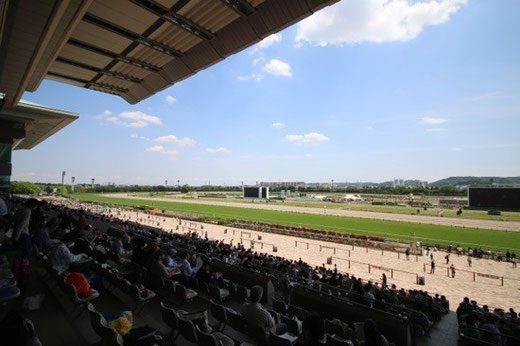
(364, 90)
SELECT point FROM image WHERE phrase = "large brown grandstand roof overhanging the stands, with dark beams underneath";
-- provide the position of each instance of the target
(130, 48)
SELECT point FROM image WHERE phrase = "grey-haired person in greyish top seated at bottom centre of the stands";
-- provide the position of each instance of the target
(256, 315)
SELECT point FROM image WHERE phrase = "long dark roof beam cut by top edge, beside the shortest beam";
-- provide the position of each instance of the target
(174, 18)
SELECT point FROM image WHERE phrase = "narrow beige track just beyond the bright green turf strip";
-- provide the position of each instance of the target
(432, 220)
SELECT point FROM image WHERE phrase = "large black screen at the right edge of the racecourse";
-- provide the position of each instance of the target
(494, 197)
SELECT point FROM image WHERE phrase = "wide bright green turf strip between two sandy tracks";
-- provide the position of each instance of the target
(433, 234)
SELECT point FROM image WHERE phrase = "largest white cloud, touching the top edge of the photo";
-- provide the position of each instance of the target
(354, 21)
